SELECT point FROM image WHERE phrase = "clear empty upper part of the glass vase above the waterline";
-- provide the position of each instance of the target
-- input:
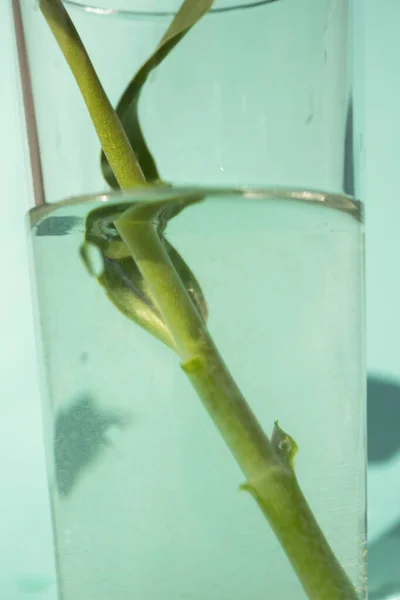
(257, 93)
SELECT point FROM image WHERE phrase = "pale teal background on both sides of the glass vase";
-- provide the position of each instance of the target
(26, 563)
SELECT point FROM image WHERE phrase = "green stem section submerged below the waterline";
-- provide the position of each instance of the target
(270, 476)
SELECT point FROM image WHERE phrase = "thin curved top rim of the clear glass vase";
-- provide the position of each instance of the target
(103, 11)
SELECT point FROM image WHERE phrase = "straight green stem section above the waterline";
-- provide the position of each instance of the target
(112, 136)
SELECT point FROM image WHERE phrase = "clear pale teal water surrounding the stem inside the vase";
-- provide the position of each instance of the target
(146, 499)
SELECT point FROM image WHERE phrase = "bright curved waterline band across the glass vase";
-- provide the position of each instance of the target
(340, 202)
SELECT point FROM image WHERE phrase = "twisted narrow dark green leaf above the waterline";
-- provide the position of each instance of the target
(188, 15)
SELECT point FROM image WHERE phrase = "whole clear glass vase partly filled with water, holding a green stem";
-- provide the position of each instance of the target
(199, 330)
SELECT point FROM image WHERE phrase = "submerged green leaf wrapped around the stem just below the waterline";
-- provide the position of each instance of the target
(120, 276)
